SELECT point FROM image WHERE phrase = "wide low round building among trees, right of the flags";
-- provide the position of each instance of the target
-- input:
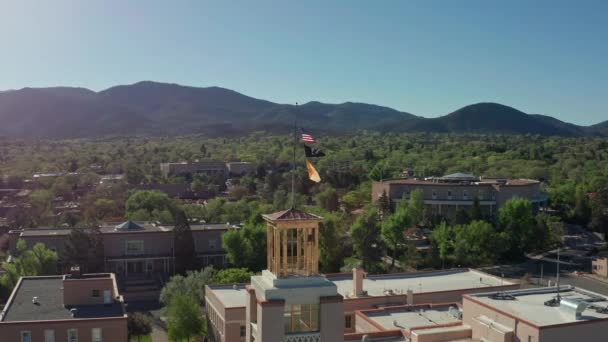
(443, 196)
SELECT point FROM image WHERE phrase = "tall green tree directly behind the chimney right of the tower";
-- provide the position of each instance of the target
(366, 237)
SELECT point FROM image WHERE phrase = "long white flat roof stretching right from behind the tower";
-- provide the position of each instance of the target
(421, 282)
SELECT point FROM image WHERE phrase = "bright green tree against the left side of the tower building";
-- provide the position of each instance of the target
(184, 318)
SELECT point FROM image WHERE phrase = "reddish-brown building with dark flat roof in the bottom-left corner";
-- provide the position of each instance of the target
(71, 307)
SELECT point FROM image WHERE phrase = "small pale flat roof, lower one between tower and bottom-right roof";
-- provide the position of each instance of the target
(416, 317)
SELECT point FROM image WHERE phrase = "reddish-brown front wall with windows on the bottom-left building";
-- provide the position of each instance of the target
(112, 329)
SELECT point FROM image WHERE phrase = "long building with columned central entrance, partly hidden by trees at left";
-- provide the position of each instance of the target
(136, 249)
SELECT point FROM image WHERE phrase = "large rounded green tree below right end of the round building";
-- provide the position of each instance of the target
(516, 220)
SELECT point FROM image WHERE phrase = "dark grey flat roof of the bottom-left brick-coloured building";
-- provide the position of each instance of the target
(49, 291)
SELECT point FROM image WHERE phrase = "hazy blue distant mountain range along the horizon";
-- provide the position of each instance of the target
(161, 108)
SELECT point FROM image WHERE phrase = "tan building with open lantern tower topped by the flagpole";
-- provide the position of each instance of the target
(291, 301)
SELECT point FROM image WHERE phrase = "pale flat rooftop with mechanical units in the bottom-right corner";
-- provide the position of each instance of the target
(528, 305)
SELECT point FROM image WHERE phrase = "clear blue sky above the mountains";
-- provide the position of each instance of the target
(424, 57)
